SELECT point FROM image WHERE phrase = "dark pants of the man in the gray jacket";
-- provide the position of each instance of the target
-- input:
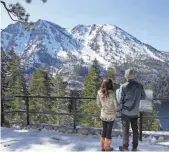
(126, 120)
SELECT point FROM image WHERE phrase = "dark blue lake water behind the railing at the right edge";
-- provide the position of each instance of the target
(163, 111)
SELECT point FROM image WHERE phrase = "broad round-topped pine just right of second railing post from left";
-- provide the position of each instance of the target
(40, 85)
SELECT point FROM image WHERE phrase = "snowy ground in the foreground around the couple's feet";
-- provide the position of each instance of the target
(52, 141)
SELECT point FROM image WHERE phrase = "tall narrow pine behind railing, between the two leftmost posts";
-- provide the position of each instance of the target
(17, 84)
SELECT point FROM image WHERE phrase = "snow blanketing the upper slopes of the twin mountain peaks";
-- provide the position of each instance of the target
(115, 45)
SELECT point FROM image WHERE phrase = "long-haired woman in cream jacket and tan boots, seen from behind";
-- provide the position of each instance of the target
(107, 102)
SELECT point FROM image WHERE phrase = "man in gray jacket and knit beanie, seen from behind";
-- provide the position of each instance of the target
(128, 108)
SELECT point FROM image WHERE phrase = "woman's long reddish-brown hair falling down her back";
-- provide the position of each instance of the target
(107, 85)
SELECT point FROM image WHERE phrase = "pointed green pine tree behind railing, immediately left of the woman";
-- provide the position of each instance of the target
(91, 86)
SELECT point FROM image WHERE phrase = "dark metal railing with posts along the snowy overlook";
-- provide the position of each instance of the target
(74, 112)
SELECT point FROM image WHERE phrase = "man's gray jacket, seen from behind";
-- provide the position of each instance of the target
(129, 96)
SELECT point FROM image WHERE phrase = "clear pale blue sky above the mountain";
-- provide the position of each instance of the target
(148, 20)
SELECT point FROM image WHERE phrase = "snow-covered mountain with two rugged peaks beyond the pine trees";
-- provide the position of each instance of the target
(51, 45)
